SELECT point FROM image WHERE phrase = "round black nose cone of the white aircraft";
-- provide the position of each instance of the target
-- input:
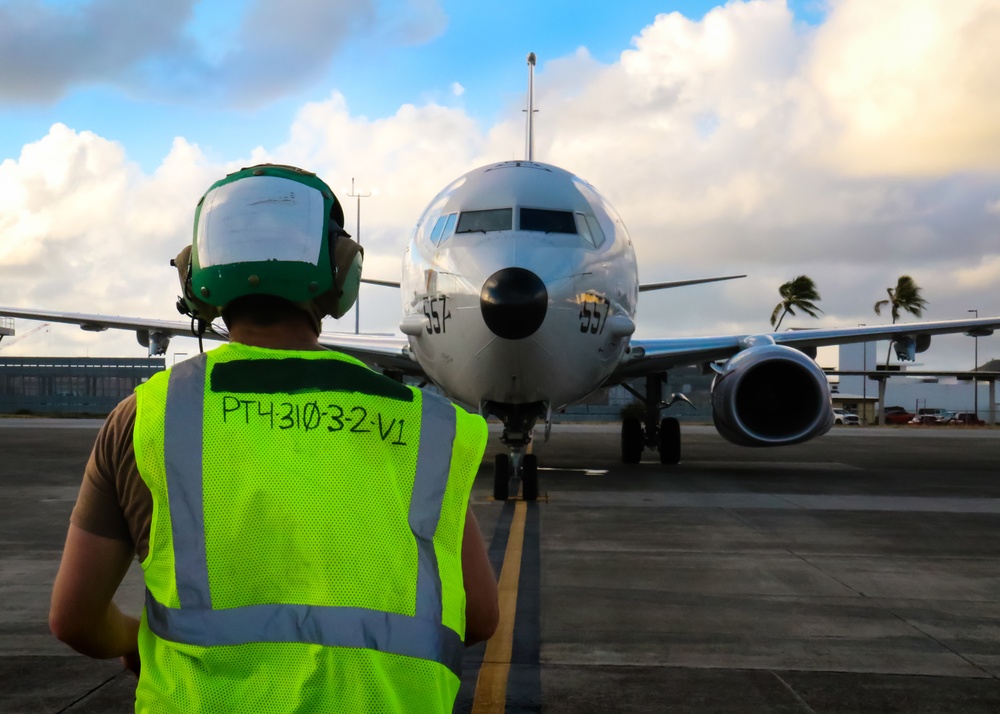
(514, 301)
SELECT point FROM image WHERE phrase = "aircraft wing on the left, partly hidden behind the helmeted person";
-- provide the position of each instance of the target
(386, 351)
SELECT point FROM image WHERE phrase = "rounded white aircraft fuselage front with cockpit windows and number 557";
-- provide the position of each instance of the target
(519, 287)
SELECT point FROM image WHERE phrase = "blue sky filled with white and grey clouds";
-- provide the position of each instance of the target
(846, 140)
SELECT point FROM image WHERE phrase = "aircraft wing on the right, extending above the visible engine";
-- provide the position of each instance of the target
(647, 356)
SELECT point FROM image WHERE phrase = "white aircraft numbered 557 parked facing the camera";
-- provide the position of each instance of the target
(519, 290)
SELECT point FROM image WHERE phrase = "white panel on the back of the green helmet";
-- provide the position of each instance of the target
(260, 219)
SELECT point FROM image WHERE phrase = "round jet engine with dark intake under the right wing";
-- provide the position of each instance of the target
(771, 395)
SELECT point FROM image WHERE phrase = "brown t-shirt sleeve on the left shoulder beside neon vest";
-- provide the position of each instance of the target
(114, 501)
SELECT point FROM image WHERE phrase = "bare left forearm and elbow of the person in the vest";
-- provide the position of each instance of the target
(82, 613)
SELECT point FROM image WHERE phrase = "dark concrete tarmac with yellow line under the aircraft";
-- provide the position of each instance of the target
(855, 573)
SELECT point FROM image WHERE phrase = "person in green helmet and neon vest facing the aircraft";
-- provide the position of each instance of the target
(302, 521)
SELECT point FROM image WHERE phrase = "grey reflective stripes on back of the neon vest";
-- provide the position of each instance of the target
(423, 636)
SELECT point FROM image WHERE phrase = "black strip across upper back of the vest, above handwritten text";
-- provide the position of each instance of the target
(295, 375)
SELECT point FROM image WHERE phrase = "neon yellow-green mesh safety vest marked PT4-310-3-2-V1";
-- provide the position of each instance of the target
(305, 545)
